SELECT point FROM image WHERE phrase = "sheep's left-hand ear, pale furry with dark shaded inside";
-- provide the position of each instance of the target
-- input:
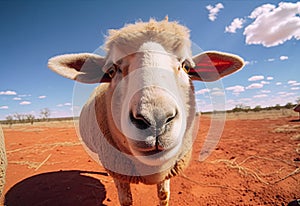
(83, 67)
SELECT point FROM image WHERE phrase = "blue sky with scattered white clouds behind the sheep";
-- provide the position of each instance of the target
(265, 33)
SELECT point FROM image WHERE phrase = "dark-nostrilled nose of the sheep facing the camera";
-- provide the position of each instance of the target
(156, 118)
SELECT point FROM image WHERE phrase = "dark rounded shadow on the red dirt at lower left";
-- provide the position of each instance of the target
(57, 188)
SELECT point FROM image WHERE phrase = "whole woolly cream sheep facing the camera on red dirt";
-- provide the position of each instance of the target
(140, 119)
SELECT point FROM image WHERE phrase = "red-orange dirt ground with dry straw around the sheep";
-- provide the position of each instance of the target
(257, 162)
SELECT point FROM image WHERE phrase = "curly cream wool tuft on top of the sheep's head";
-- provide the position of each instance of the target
(171, 35)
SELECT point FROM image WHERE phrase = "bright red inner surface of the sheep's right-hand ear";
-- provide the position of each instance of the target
(212, 63)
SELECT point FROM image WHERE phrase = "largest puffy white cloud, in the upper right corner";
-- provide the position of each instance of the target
(273, 25)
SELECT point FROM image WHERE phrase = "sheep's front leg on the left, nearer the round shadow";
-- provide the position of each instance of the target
(124, 192)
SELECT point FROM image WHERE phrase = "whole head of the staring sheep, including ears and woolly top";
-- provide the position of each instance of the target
(150, 98)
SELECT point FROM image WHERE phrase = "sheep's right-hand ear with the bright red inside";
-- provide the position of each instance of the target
(211, 66)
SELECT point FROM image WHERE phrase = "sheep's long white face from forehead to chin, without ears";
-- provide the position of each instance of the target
(151, 98)
